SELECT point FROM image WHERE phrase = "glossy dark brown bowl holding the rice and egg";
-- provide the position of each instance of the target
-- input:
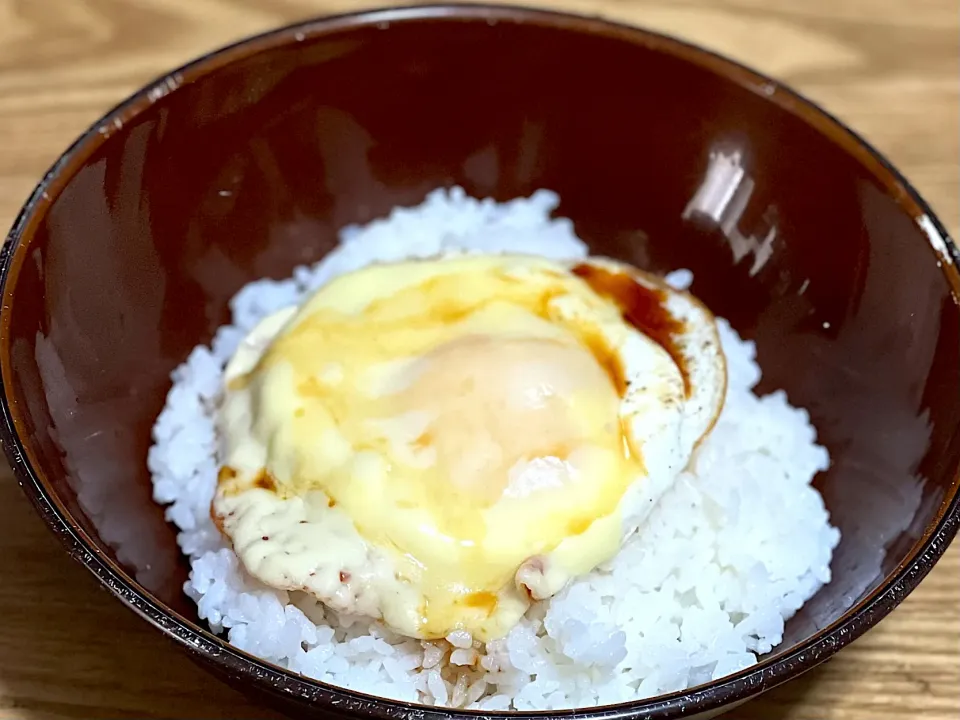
(127, 252)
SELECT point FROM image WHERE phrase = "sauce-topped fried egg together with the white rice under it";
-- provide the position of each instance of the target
(433, 445)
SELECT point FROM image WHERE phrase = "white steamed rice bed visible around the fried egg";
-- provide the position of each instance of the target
(729, 554)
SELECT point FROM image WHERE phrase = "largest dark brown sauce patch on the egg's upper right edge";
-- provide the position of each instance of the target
(644, 308)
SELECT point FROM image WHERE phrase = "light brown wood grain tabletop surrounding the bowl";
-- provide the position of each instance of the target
(887, 67)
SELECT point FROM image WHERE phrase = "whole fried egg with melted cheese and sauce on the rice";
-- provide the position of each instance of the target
(440, 443)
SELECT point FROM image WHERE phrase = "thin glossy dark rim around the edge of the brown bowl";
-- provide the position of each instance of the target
(768, 673)
